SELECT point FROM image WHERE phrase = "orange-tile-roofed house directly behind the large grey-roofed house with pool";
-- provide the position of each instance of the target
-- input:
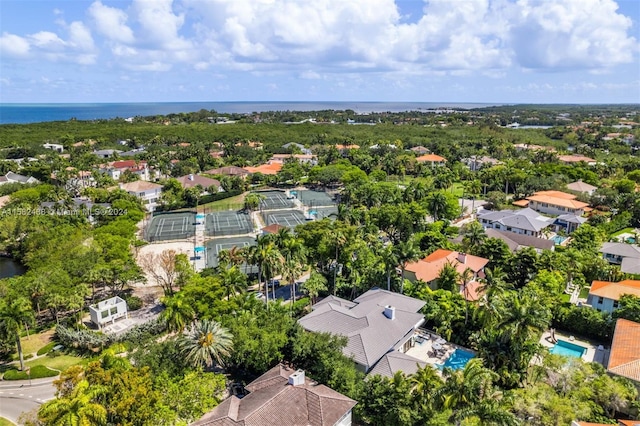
(429, 268)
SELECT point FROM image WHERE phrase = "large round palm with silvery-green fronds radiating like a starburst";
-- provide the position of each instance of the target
(206, 343)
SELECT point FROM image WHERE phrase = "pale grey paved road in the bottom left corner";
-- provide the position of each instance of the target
(18, 396)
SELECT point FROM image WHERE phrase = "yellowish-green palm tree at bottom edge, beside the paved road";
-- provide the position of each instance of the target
(78, 409)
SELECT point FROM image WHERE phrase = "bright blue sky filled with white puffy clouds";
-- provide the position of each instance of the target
(494, 51)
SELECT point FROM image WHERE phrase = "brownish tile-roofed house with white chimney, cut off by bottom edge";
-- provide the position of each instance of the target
(282, 396)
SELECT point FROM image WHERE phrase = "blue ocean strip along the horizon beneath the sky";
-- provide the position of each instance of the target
(36, 113)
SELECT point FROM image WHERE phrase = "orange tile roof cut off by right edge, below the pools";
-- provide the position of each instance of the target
(624, 356)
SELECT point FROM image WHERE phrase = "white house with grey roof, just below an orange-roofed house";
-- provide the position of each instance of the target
(525, 222)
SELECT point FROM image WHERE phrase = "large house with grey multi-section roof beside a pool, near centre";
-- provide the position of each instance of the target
(375, 323)
